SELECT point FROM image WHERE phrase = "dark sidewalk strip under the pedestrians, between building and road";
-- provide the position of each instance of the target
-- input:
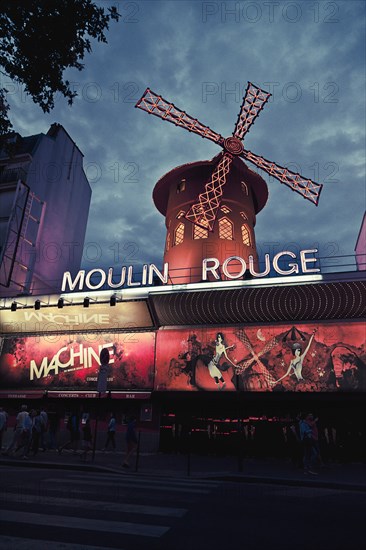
(273, 471)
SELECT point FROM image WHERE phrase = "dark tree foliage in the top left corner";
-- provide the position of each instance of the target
(40, 39)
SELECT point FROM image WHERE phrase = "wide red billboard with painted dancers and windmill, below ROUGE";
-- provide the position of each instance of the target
(296, 358)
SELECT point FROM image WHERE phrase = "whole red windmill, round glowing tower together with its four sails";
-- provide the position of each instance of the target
(210, 206)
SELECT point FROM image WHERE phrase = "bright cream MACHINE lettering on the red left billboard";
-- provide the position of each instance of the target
(68, 359)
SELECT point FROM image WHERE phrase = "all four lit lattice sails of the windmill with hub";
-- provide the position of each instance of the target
(204, 211)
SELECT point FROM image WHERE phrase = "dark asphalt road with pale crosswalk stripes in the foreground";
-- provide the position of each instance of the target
(75, 510)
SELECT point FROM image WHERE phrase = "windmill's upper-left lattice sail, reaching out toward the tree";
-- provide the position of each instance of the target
(155, 105)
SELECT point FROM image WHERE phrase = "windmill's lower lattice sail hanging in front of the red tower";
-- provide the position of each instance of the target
(204, 211)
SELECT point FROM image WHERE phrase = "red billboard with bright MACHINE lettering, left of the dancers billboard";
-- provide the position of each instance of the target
(72, 361)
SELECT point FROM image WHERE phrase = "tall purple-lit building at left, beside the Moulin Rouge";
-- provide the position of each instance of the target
(44, 206)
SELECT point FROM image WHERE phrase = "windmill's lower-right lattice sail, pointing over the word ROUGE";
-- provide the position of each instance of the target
(309, 189)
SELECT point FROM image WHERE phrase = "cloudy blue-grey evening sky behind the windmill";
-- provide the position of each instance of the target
(309, 54)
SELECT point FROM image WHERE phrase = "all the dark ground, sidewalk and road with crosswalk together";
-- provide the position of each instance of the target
(177, 501)
